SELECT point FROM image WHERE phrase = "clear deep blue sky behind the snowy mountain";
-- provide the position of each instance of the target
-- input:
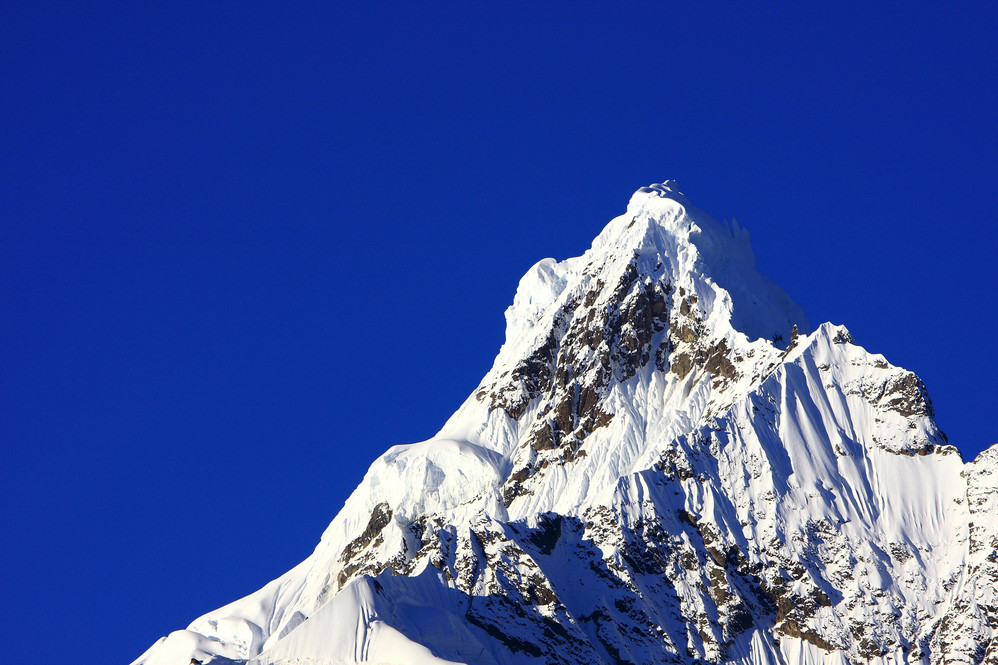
(246, 248)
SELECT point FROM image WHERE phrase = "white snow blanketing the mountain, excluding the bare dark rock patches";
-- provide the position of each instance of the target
(806, 437)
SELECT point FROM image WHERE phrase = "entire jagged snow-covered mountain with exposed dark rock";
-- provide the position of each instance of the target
(665, 464)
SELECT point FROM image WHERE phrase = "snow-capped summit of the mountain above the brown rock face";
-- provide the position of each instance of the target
(661, 237)
